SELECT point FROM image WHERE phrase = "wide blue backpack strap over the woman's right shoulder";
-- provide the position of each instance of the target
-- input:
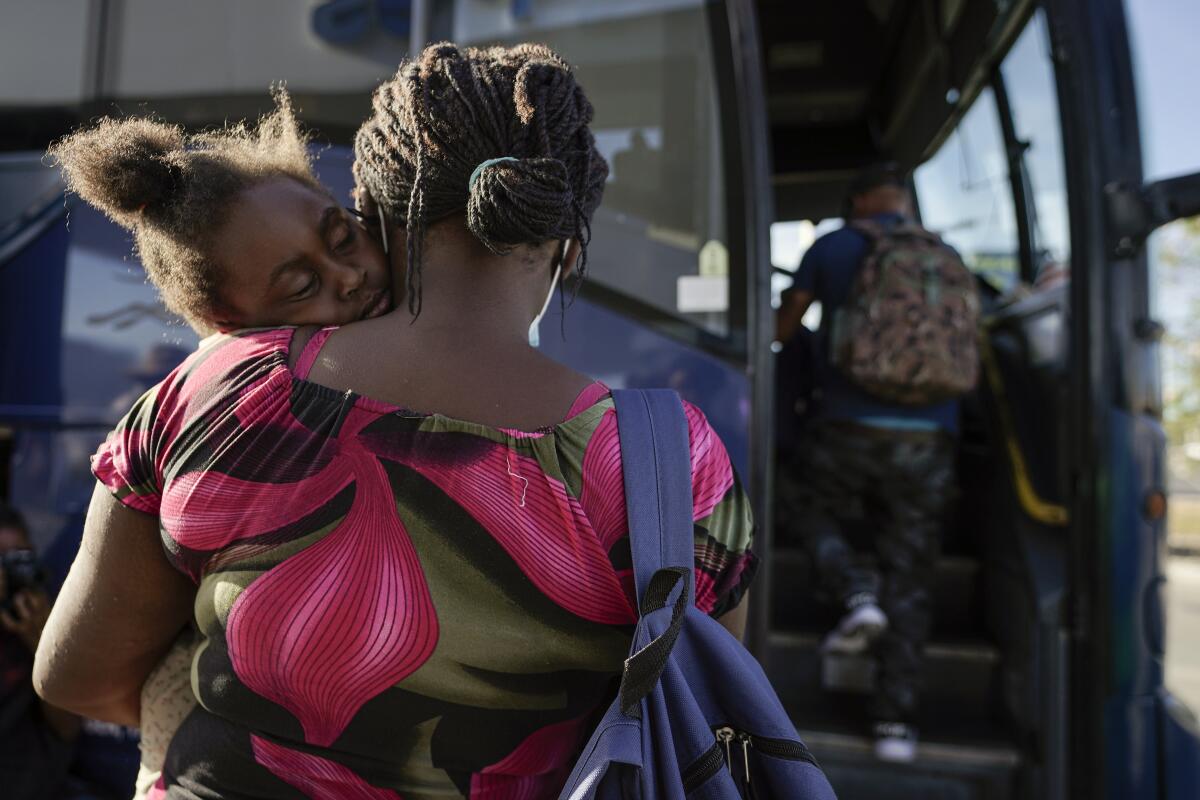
(657, 465)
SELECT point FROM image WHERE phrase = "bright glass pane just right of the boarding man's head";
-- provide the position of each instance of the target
(965, 195)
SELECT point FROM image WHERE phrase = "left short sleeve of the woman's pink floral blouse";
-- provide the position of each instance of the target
(125, 464)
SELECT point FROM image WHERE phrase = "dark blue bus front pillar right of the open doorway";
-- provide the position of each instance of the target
(1129, 737)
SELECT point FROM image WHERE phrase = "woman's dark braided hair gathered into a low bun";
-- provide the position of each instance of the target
(454, 109)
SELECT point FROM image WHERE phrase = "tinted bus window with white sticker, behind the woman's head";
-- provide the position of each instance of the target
(661, 236)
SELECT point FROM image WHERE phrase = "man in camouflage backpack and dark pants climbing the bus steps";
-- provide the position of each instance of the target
(881, 443)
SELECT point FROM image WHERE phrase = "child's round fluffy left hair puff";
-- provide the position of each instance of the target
(127, 169)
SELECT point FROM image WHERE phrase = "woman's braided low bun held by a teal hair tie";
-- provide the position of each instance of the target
(521, 201)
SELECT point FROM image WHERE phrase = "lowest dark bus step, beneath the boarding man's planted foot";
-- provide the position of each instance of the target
(944, 769)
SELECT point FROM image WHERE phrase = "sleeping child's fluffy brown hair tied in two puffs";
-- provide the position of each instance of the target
(173, 190)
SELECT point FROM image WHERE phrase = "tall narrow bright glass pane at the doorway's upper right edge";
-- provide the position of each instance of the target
(1029, 79)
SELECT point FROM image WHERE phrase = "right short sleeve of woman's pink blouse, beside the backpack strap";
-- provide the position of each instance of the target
(724, 522)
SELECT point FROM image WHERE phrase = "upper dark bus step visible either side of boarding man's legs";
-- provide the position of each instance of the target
(957, 601)
